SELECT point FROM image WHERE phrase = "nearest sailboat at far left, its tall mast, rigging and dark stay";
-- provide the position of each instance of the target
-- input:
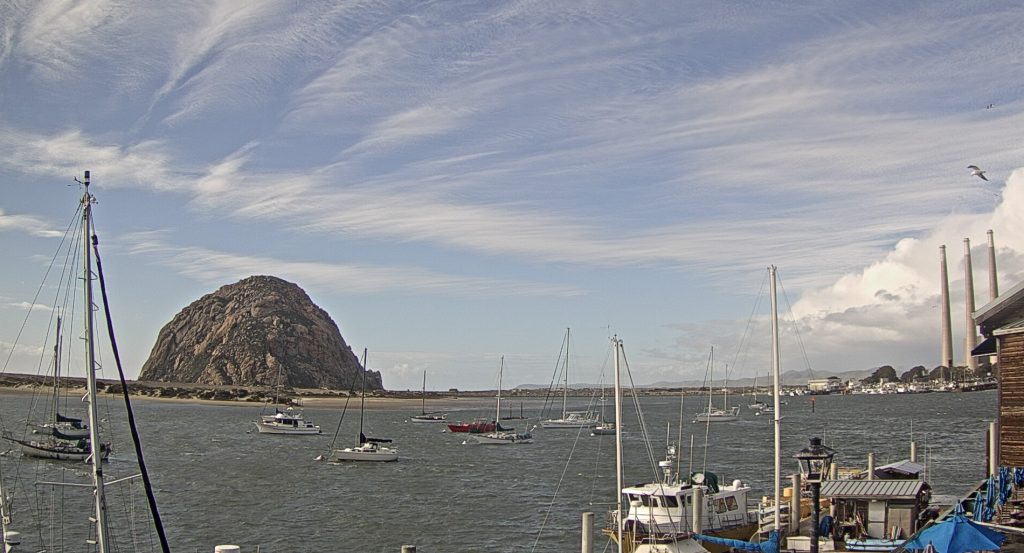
(102, 538)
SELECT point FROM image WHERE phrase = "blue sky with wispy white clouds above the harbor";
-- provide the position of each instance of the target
(459, 182)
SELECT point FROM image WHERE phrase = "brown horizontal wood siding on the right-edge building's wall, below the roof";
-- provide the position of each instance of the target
(1012, 401)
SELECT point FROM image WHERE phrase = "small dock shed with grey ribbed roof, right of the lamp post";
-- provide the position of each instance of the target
(890, 509)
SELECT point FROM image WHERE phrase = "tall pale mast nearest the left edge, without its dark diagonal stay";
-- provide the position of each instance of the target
(91, 374)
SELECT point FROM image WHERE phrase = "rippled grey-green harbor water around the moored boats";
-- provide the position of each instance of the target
(219, 482)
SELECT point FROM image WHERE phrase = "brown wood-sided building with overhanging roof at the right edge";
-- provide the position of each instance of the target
(1002, 324)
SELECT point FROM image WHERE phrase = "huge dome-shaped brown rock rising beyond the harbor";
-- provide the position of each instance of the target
(248, 333)
